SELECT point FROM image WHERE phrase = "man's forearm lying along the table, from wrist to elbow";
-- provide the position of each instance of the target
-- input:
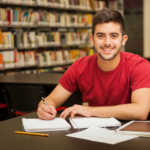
(125, 112)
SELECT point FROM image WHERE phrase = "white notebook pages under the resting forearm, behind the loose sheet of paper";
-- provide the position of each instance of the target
(84, 122)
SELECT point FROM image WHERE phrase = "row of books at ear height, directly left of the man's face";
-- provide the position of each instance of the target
(31, 39)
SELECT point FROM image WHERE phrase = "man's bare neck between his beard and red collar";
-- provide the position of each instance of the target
(108, 65)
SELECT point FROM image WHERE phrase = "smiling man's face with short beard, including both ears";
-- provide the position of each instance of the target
(108, 40)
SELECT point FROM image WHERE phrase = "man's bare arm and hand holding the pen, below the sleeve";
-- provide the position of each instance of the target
(56, 98)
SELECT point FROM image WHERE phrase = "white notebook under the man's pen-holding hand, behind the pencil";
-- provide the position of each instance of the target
(38, 125)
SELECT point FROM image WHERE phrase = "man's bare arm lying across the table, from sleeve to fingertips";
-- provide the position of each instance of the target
(138, 109)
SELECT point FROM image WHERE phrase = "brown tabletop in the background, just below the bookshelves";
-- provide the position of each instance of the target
(32, 79)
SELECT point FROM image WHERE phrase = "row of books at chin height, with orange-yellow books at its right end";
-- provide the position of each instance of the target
(11, 59)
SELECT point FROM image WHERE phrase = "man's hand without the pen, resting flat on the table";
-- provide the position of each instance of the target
(77, 109)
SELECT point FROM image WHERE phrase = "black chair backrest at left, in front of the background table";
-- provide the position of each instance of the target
(23, 98)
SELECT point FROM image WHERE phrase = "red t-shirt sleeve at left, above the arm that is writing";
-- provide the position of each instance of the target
(69, 78)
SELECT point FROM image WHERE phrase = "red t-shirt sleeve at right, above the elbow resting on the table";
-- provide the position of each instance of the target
(140, 76)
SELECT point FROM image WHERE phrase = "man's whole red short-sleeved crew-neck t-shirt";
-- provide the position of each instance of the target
(102, 88)
